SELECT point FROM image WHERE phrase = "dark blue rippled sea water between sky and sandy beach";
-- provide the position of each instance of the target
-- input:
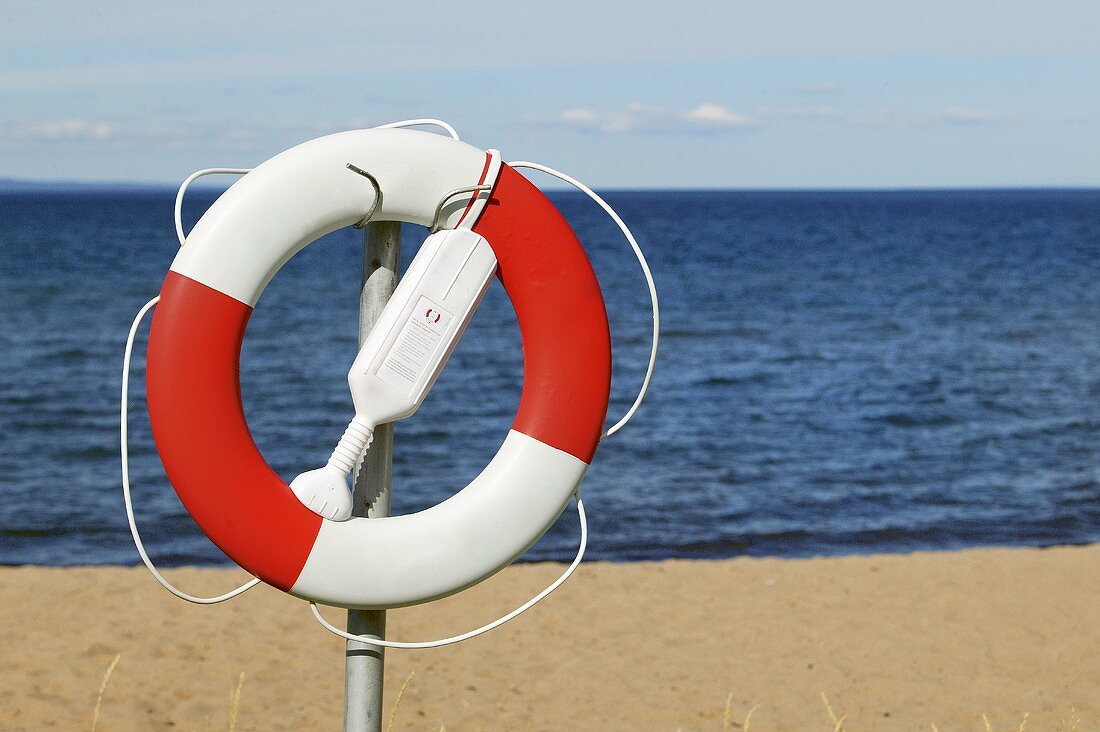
(840, 373)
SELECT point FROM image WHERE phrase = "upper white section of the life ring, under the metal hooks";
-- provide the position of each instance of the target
(307, 192)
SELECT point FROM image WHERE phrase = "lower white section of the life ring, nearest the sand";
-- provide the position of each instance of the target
(401, 561)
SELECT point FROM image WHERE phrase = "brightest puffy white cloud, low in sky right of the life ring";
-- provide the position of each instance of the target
(707, 117)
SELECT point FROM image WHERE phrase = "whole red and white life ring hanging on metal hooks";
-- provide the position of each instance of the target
(194, 383)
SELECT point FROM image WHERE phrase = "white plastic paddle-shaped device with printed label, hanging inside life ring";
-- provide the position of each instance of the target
(404, 355)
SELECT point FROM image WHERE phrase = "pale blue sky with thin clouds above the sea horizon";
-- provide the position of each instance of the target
(622, 95)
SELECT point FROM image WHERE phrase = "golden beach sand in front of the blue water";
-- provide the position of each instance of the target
(895, 642)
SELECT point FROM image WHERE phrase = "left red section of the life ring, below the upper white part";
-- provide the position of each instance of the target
(193, 380)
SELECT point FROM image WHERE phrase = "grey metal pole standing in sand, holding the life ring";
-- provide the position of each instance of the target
(365, 664)
